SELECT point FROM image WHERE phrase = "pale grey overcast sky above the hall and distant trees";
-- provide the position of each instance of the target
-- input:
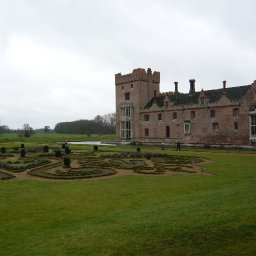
(58, 58)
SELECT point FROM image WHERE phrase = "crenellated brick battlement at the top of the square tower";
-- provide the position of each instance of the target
(138, 74)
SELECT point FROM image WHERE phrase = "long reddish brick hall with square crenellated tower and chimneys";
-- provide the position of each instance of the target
(222, 116)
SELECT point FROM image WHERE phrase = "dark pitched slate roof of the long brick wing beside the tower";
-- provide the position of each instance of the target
(232, 93)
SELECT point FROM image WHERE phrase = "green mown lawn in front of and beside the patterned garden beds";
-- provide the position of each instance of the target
(182, 214)
